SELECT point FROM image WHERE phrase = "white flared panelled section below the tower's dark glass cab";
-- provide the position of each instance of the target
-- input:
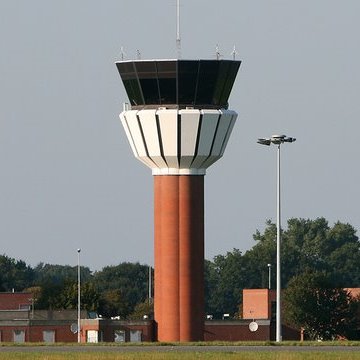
(178, 142)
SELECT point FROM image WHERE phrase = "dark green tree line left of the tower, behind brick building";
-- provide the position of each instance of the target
(113, 291)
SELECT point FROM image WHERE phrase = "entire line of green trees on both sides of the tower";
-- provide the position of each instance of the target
(315, 257)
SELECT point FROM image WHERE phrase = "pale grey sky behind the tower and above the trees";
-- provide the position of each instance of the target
(68, 178)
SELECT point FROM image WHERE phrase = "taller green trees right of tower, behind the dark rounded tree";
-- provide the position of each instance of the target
(306, 246)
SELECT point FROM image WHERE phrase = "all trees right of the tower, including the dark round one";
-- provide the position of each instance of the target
(318, 263)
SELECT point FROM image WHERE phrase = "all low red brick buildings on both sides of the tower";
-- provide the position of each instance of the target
(20, 322)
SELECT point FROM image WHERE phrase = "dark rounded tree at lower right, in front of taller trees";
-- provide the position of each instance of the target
(325, 312)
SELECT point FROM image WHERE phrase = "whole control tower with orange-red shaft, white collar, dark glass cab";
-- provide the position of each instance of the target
(178, 124)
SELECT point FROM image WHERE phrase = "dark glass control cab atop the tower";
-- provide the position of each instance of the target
(178, 83)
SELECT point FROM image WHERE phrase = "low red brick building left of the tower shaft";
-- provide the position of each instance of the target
(20, 322)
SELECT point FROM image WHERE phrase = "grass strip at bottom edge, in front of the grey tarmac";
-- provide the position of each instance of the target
(263, 355)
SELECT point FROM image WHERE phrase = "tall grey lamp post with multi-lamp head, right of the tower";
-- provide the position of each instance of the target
(277, 140)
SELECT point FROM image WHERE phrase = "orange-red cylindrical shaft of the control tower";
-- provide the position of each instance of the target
(179, 257)
